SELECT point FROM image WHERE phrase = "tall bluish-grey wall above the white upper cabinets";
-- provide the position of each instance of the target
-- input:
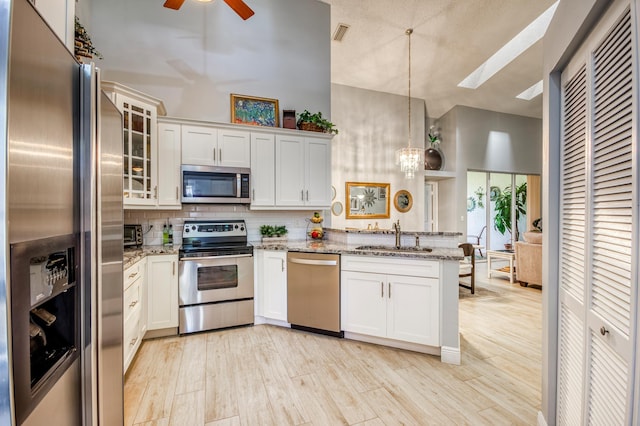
(194, 58)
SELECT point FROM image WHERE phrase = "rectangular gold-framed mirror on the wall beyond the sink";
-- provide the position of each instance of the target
(366, 200)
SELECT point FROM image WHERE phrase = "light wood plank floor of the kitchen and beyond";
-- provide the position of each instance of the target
(265, 375)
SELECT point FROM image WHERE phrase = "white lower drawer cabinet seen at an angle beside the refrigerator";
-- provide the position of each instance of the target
(133, 313)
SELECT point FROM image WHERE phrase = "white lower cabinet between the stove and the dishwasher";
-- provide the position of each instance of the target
(272, 284)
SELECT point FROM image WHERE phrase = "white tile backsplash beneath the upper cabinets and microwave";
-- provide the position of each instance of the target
(152, 221)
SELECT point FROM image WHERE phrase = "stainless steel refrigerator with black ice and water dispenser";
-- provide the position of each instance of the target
(61, 282)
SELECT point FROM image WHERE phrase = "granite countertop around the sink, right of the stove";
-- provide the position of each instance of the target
(332, 247)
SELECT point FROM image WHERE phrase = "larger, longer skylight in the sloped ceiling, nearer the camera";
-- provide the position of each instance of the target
(507, 53)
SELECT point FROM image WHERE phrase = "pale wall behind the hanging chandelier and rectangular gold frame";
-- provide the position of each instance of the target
(373, 125)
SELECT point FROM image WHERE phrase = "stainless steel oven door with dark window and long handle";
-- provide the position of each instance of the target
(215, 279)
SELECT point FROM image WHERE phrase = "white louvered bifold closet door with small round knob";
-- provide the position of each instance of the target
(597, 275)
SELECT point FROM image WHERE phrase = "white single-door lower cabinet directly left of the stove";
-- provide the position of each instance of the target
(162, 290)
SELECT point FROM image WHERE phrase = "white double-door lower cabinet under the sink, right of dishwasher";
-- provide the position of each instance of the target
(391, 298)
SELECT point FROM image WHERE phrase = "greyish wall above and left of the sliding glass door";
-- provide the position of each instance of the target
(475, 139)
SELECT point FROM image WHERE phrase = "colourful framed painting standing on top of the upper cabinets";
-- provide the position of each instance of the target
(254, 111)
